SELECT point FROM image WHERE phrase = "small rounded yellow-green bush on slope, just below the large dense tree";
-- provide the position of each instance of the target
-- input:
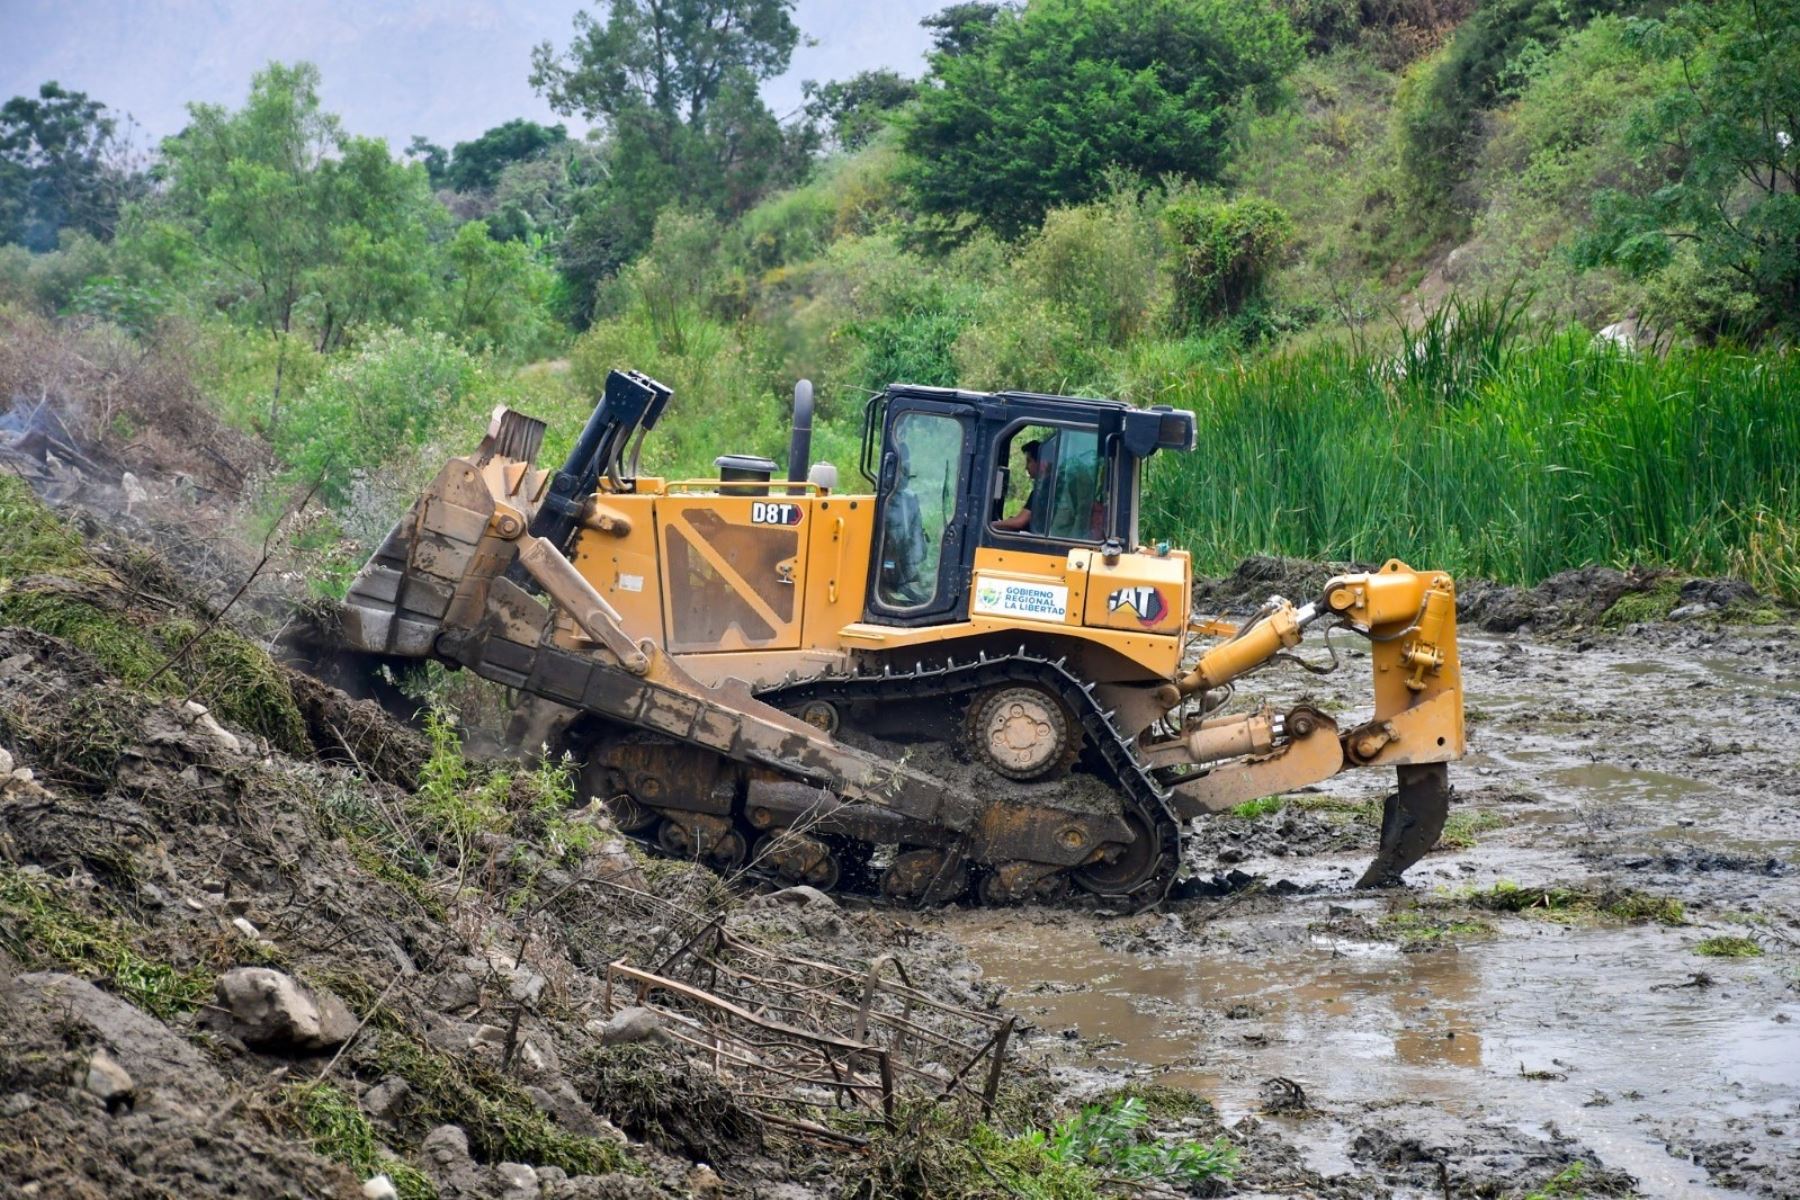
(1225, 255)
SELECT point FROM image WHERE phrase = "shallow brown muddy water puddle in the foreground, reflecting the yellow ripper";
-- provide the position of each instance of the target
(1585, 1030)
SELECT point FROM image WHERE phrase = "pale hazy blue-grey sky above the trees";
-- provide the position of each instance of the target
(447, 69)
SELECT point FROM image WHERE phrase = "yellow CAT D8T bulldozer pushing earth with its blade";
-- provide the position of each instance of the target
(967, 679)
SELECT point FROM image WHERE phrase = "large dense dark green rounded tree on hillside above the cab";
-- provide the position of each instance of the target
(1054, 96)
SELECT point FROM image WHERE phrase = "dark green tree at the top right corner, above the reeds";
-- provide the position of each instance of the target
(1732, 139)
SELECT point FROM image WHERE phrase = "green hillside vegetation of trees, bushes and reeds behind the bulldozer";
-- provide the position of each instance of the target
(1369, 242)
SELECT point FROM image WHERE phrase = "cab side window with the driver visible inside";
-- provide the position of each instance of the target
(1057, 485)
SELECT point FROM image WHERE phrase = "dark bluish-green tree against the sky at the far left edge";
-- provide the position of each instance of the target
(60, 168)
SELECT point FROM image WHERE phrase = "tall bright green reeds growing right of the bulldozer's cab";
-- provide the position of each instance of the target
(1531, 458)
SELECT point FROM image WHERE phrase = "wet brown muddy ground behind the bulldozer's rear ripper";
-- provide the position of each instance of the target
(1444, 1048)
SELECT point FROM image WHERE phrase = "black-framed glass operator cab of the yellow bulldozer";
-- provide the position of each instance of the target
(957, 472)
